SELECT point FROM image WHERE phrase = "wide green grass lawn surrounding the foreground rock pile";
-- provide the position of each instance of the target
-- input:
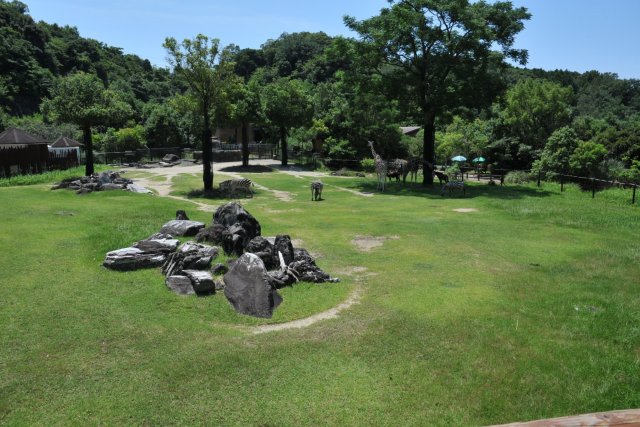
(526, 307)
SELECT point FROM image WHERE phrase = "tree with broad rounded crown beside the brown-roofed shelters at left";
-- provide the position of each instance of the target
(82, 99)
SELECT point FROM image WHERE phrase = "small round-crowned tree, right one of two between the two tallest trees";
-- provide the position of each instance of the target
(286, 104)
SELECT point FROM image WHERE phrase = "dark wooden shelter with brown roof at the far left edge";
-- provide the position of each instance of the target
(22, 153)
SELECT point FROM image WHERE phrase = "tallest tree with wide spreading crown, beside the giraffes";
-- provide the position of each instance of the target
(441, 50)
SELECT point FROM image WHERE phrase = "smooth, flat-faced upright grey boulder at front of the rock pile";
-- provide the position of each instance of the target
(248, 287)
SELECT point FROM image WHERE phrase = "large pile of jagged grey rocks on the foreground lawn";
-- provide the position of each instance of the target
(250, 282)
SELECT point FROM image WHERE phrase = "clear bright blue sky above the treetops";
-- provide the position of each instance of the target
(578, 35)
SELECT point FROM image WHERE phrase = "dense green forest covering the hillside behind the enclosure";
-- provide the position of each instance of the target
(325, 94)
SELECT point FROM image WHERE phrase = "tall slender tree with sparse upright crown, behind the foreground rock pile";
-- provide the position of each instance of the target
(195, 62)
